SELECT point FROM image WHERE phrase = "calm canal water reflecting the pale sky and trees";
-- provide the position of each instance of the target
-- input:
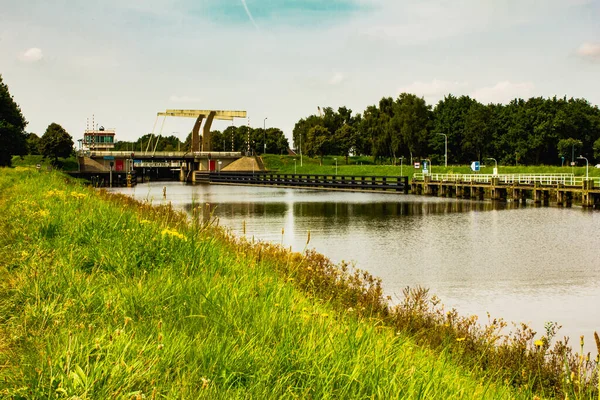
(520, 263)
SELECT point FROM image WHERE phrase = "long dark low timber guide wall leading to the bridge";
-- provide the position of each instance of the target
(348, 182)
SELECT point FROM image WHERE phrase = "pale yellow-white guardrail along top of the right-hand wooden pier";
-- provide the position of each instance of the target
(543, 179)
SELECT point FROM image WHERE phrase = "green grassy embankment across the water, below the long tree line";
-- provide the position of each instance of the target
(365, 166)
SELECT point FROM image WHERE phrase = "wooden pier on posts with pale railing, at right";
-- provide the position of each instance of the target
(564, 189)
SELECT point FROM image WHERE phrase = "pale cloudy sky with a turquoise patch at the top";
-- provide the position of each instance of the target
(122, 61)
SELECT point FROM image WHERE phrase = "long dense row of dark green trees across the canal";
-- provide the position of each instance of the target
(537, 131)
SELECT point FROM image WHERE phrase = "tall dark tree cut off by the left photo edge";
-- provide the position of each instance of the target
(12, 127)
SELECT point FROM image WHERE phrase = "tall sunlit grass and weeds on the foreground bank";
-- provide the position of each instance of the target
(104, 297)
